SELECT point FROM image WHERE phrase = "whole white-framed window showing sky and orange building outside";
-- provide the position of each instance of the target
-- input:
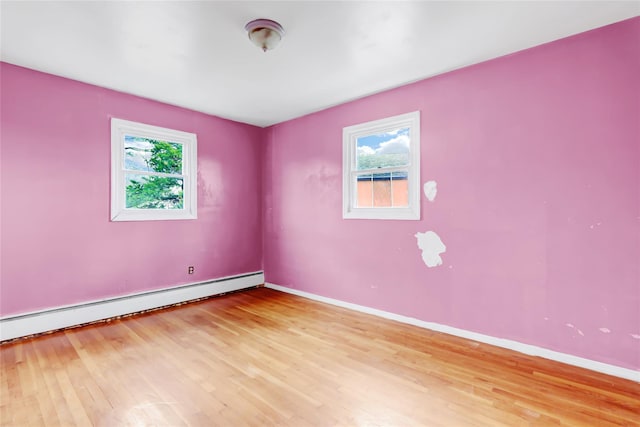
(381, 168)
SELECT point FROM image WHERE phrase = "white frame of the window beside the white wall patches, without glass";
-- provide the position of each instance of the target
(350, 137)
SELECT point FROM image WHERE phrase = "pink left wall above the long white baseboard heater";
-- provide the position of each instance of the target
(58, 245)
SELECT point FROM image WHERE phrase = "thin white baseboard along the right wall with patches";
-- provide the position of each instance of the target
(532, 350)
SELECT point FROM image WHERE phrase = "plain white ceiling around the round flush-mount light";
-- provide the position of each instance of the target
(197, 55)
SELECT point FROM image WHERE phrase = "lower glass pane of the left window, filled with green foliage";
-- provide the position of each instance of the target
(154, 192)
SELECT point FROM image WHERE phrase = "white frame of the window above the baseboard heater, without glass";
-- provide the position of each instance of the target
(119, 211)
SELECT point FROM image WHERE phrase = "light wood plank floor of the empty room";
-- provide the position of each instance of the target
(261, 357)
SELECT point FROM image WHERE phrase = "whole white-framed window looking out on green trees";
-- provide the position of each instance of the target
(153, 172)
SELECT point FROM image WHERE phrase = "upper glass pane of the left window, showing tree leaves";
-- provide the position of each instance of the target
(150, 155)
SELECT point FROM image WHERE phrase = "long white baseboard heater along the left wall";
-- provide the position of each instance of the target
(25, 324)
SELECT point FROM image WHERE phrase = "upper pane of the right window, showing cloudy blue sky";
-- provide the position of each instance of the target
(383, 150)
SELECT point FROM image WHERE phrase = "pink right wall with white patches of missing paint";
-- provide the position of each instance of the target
(536, 156)
